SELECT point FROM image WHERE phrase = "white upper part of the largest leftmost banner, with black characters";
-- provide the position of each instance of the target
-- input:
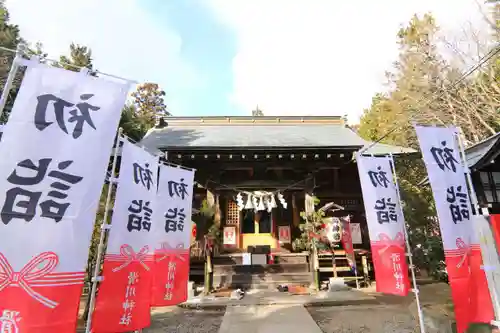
(53, 159)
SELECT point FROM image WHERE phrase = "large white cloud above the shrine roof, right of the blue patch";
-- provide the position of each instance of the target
(321, 57)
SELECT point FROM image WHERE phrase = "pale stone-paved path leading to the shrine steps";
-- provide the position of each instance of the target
(268, 319)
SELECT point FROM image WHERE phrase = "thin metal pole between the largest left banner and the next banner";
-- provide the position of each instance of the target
(104, 227)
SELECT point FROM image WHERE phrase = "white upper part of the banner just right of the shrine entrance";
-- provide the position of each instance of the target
(383, 212)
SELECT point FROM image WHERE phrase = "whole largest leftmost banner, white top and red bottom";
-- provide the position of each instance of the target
(54, 155)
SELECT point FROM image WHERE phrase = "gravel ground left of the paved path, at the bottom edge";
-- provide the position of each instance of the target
(178, 320)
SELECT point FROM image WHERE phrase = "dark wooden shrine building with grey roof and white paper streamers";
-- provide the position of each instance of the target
(277, 163)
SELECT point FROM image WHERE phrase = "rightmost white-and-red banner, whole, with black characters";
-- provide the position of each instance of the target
(469, 288)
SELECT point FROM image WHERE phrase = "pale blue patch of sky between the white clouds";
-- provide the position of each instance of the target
(208, 46)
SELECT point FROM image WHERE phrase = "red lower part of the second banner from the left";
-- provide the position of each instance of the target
(127, 278)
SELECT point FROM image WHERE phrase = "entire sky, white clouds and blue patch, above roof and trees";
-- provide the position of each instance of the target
(223, 57)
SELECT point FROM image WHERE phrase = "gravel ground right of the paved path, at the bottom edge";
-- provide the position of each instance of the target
(364, 319)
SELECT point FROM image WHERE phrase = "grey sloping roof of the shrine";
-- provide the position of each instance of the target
(198, 133)
